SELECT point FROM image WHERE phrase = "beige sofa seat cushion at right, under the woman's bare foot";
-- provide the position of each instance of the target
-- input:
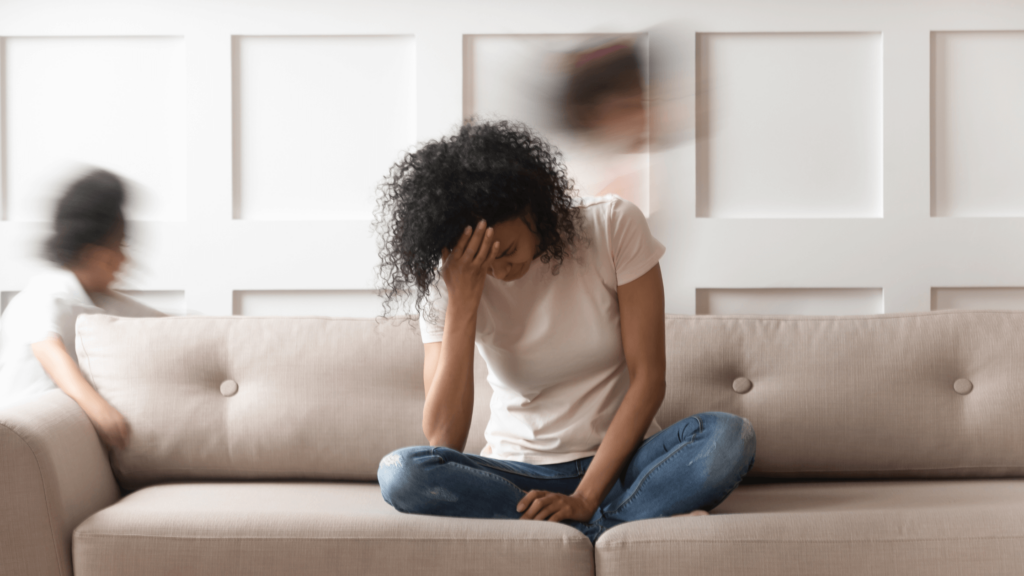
(838, 528)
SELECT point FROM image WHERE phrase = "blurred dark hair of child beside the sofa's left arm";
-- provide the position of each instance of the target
(90, 214)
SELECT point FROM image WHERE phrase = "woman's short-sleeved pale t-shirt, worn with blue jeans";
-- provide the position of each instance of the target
(553, 343)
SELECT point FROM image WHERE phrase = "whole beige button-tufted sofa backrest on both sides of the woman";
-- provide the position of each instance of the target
(830, 397)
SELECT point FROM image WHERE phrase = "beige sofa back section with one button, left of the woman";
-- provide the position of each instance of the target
(309, 399)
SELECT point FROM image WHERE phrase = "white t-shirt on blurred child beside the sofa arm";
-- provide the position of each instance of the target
(49, 306)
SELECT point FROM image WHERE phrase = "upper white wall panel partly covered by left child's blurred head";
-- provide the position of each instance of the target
(77, 103)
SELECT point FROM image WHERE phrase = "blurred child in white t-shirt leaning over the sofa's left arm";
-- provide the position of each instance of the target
(37, 331)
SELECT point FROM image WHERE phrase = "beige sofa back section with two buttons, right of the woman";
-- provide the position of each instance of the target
(860, 397)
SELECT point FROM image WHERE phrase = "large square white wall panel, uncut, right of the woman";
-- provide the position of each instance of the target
(790, 126)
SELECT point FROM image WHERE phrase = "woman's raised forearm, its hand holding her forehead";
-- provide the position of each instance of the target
(448, 413)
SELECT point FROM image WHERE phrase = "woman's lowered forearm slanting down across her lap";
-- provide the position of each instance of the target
(625, 434)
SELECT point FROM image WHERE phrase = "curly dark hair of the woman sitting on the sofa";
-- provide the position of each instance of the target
(492, 171)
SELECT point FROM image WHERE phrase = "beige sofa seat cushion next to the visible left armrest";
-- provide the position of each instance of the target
(310, 528)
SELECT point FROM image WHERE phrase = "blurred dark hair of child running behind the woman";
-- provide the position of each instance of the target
(594, 74)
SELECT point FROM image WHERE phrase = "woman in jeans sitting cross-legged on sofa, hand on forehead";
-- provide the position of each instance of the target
(564, 299)
